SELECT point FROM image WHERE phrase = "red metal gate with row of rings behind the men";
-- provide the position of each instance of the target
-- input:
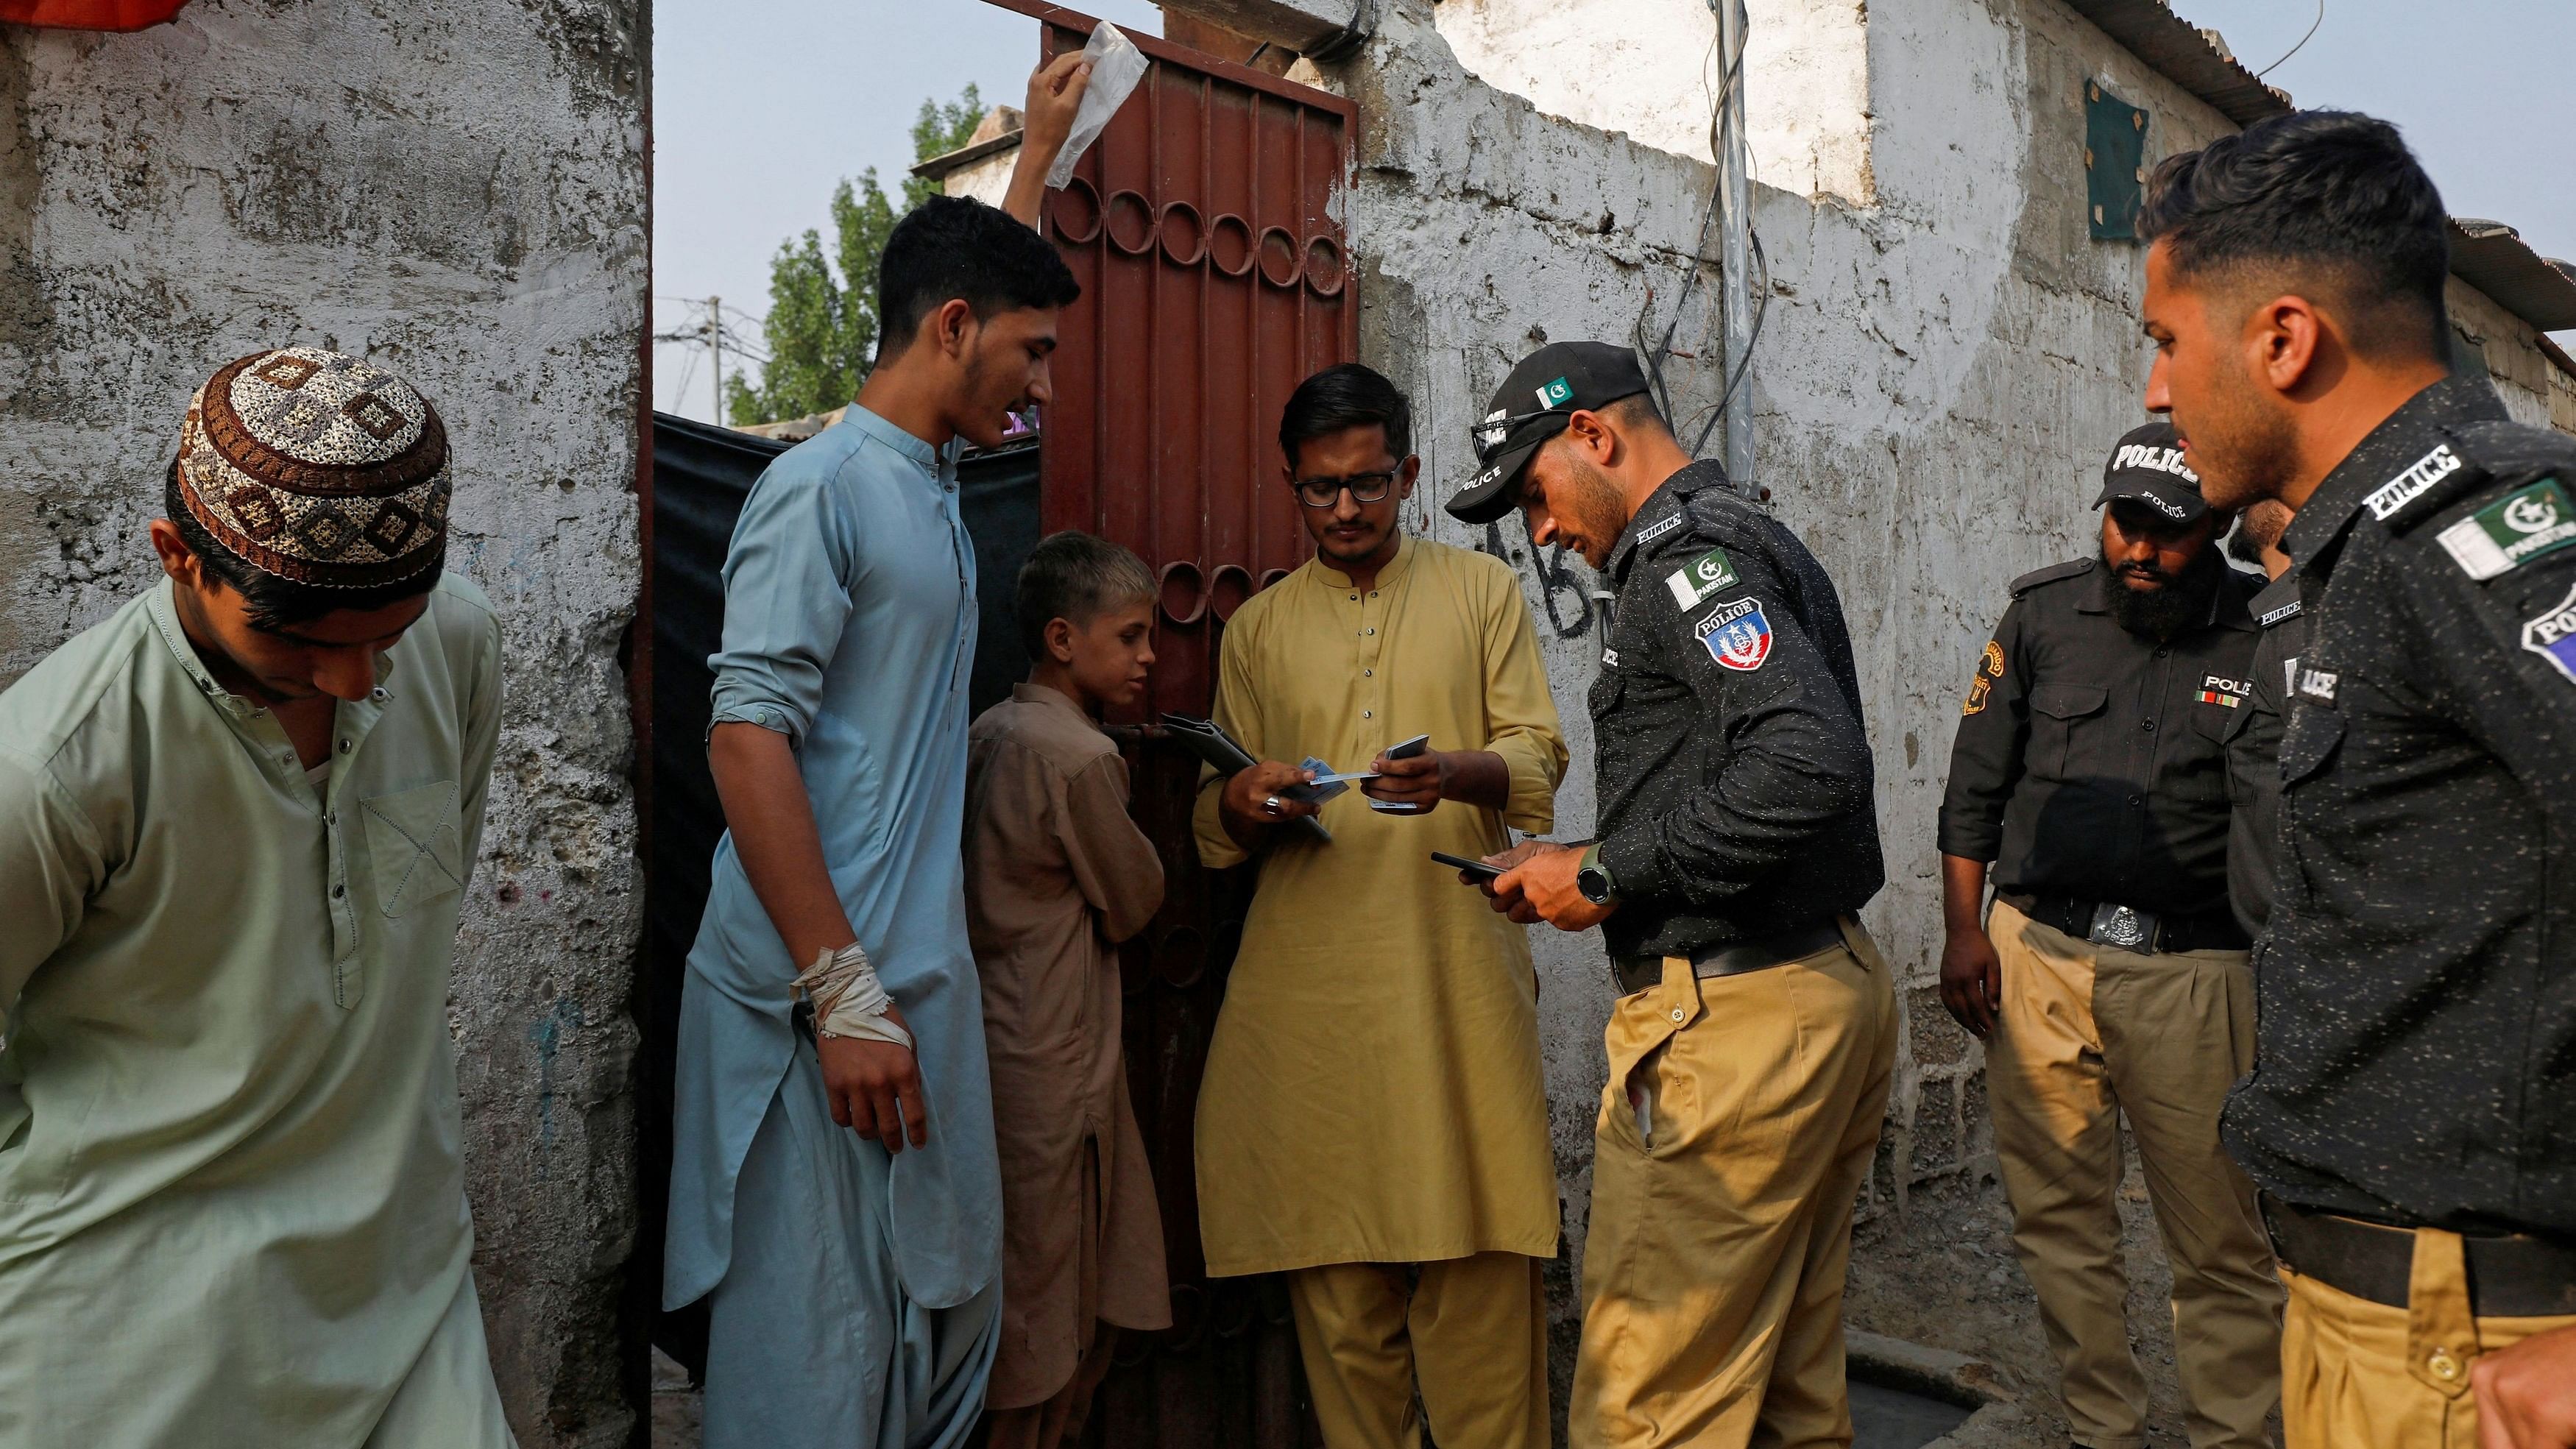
(1204, 228)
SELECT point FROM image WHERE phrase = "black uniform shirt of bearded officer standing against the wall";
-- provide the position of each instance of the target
(2090, 761)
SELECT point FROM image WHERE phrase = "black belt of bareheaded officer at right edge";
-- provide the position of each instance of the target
(2508, 1278)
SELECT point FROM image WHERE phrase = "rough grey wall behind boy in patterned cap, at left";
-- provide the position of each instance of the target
(457, 192)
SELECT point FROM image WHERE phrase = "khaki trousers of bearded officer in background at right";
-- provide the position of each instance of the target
(2085, 1033)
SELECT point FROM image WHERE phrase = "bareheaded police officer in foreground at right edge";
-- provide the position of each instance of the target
(2412, 1113)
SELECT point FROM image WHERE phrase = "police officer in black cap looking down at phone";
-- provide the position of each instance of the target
(1756, 1031)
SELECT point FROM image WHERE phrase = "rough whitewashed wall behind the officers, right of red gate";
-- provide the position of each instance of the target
(1944, 362)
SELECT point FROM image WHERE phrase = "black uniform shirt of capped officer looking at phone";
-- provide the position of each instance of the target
(1735, 773)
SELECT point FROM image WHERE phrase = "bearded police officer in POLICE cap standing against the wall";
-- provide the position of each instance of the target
(2090, 771)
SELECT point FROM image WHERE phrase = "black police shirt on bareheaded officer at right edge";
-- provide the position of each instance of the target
(2418, 987)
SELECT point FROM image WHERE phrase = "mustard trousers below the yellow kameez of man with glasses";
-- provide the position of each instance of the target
(1472, 1334)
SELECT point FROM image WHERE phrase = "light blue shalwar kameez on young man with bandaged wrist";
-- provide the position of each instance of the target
(854, 1298)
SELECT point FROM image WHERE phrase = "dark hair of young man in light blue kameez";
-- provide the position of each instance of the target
(952, 248)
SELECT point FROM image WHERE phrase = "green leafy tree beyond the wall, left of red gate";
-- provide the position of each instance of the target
(823, 308)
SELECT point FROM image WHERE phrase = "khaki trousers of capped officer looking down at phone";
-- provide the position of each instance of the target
(1735, 1134)
